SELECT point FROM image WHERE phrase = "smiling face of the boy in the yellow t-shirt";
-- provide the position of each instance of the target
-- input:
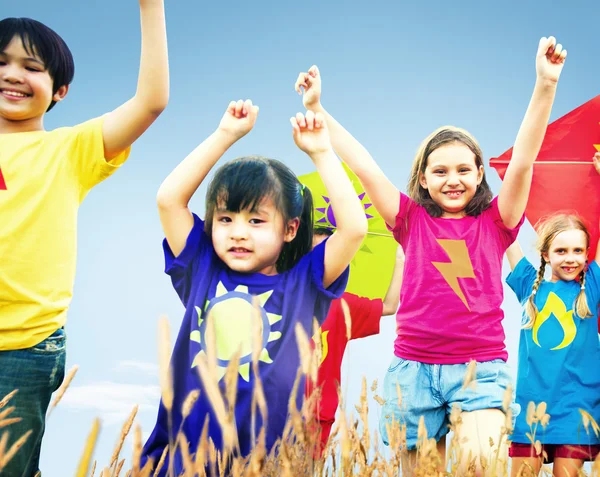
(26, 89)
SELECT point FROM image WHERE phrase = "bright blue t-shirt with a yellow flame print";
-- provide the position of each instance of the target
(558, 357)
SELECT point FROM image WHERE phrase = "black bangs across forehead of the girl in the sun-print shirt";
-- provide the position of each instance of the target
(242, 184)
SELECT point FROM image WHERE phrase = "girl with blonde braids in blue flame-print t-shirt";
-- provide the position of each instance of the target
(559, 340)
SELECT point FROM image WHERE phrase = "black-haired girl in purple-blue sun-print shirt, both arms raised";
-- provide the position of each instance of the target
(255, 243)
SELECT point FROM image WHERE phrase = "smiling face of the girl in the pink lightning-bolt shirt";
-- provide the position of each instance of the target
(451, 177)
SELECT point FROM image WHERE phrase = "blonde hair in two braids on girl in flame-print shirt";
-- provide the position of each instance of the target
(547, 231)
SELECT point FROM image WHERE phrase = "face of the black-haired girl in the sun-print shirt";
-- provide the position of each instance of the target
(251, 241)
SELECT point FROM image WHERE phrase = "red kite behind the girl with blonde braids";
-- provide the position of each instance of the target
(564, 178)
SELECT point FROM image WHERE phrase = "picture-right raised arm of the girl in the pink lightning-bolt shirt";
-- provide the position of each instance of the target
(514, 192)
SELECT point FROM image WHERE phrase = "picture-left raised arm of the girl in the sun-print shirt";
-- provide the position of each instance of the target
(178, 188)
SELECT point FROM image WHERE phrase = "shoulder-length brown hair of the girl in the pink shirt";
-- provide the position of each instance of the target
(442, 137)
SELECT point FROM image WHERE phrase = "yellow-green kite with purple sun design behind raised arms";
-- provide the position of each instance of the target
(372, 267)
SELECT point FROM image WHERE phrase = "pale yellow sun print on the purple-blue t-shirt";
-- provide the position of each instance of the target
(231, 312)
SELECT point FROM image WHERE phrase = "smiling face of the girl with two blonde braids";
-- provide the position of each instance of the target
(567, 254)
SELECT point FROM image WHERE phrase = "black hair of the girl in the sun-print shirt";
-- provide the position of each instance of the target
(243, 183)
